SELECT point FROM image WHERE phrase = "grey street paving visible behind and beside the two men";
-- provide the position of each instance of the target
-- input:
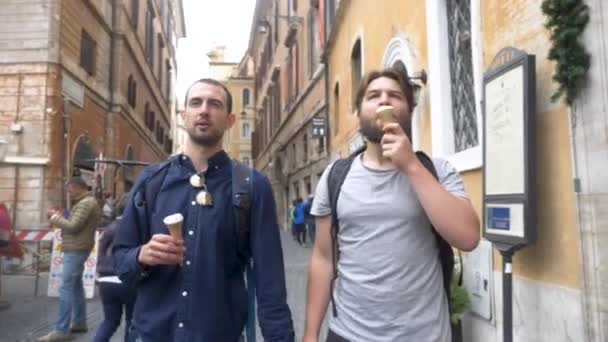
(30, 317)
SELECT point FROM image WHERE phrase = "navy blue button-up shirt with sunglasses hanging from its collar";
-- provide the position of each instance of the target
(205, 299)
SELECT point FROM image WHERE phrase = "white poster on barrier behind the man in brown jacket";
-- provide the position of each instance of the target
(90, 267)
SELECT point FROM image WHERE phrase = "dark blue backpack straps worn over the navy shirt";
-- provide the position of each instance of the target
(241, 200)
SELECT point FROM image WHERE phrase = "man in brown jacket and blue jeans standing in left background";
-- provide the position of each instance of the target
(78, 233)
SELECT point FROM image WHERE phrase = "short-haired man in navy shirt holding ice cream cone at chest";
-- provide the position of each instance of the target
(192, 288)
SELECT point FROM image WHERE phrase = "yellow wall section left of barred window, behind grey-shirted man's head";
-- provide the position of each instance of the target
(376, 23)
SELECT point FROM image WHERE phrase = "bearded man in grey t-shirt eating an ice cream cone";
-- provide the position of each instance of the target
(388, 285)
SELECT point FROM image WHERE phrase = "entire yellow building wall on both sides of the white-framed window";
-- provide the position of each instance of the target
(555, 257)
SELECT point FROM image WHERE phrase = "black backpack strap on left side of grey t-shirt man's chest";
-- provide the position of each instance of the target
(335, 179)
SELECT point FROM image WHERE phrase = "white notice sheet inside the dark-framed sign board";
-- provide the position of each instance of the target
(504, 134)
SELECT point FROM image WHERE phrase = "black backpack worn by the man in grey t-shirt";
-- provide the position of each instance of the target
(336, 178)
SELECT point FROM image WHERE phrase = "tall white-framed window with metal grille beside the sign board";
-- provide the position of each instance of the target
(454, 44)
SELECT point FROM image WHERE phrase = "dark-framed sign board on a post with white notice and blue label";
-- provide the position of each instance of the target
(508, 131)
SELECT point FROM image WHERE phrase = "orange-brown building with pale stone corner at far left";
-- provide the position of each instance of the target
(81, 80)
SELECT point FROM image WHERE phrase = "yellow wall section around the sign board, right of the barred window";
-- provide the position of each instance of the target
(555, 257)
